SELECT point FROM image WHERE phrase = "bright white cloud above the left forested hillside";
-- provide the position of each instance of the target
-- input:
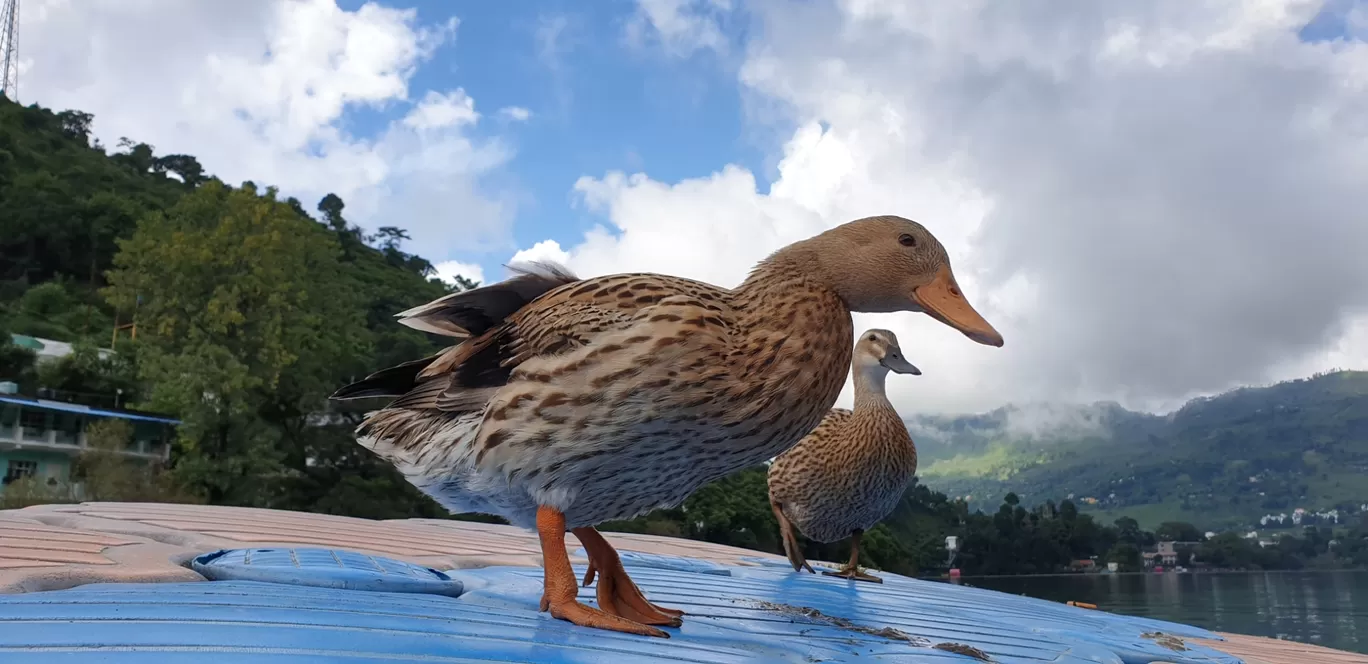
(258, 91)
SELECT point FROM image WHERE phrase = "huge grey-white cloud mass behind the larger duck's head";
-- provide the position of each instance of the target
(1150, 199)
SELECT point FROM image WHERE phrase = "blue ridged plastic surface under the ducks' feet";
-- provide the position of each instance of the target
(733, 615)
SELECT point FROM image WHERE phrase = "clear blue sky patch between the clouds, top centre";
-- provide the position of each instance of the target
(596, 105)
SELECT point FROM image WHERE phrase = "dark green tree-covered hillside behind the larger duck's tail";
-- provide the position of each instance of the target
(250, 311)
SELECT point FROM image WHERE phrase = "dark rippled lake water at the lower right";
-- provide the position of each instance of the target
(1324, 609)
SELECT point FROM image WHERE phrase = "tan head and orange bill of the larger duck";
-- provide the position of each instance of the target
(889, 264)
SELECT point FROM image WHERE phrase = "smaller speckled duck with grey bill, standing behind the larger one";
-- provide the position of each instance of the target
(849, 473)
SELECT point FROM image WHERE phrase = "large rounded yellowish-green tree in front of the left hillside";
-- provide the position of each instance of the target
(243, 311)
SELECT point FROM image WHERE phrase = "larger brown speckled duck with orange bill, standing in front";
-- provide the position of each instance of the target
(573, 402)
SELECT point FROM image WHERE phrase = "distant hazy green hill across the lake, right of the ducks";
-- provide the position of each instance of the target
(1218, 462)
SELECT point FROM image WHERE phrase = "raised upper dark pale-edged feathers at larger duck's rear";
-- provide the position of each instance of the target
(471, 313)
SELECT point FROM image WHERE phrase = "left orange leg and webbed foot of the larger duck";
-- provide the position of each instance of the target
(559, 595)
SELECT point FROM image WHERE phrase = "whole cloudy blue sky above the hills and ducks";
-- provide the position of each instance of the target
(1151, 201)
